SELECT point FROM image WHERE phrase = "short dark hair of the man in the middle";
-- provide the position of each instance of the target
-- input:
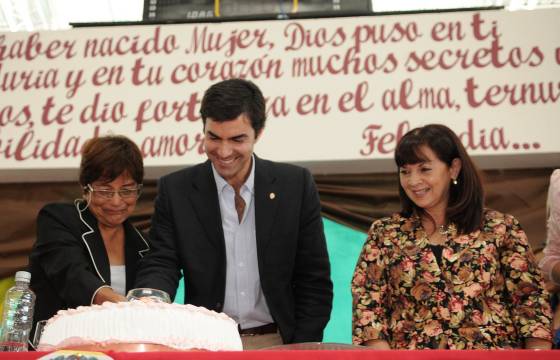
(228, 99)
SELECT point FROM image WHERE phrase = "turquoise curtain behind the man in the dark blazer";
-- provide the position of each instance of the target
(344, 245)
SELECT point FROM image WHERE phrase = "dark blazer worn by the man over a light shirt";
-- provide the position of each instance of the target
(294, 268)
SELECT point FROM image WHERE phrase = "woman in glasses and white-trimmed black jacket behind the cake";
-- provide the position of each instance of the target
(87, 252)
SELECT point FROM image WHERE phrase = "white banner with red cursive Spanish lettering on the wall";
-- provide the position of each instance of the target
(339, 90)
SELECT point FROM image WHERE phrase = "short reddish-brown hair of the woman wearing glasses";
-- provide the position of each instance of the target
(107, 157)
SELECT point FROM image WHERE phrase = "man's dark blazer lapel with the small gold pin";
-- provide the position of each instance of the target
(267, 196)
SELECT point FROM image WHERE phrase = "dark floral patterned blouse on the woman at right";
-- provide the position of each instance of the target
(487, 293)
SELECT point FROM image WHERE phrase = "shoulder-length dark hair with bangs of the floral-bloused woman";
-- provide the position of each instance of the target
(466, 198)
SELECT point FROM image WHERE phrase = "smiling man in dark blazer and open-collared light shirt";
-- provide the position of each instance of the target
(247, 233)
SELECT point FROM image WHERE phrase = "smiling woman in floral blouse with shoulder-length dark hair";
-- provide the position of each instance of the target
(446, 272)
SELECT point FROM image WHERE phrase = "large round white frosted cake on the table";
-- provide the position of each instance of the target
(174, 326)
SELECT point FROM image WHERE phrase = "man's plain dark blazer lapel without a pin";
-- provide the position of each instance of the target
(205, 201)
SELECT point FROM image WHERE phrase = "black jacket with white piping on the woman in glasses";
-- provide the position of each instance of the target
(69, 261)
